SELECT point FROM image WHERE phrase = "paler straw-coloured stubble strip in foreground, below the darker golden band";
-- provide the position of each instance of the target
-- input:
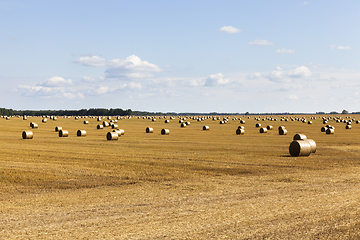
(229, 207)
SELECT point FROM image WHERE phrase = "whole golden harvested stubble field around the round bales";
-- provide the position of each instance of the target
(191, 184)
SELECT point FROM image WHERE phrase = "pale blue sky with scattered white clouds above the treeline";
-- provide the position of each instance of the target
(181, 56)
